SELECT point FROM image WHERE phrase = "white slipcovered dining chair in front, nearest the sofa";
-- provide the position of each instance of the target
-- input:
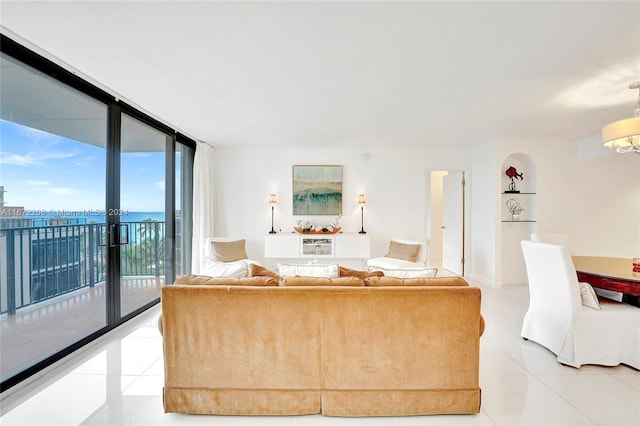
(606, 334)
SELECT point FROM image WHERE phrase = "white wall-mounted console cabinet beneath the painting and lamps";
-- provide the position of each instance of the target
(317, 246)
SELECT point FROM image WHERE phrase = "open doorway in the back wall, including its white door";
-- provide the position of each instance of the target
(447, 220)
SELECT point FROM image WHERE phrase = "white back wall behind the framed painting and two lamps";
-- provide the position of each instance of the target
(393, 181)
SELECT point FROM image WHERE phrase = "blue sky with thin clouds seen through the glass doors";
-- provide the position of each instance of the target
(42, 171)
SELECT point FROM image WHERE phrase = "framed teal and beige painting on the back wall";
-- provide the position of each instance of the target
(316, 190)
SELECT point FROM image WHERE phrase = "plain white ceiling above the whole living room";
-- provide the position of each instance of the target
(352, 74)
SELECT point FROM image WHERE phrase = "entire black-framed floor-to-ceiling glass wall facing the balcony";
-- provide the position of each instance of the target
(92, 211)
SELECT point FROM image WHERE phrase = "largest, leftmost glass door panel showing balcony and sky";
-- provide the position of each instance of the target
(53, 275)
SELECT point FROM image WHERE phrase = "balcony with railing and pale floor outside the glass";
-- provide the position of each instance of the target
(53, 285)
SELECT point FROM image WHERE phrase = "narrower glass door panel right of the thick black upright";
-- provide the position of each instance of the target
(141, 213)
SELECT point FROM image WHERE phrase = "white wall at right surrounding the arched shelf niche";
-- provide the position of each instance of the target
(587, 192)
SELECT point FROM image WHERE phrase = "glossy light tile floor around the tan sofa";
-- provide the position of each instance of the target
(118, 381)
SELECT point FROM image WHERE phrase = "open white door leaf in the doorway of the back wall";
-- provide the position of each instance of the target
(453, 222)
